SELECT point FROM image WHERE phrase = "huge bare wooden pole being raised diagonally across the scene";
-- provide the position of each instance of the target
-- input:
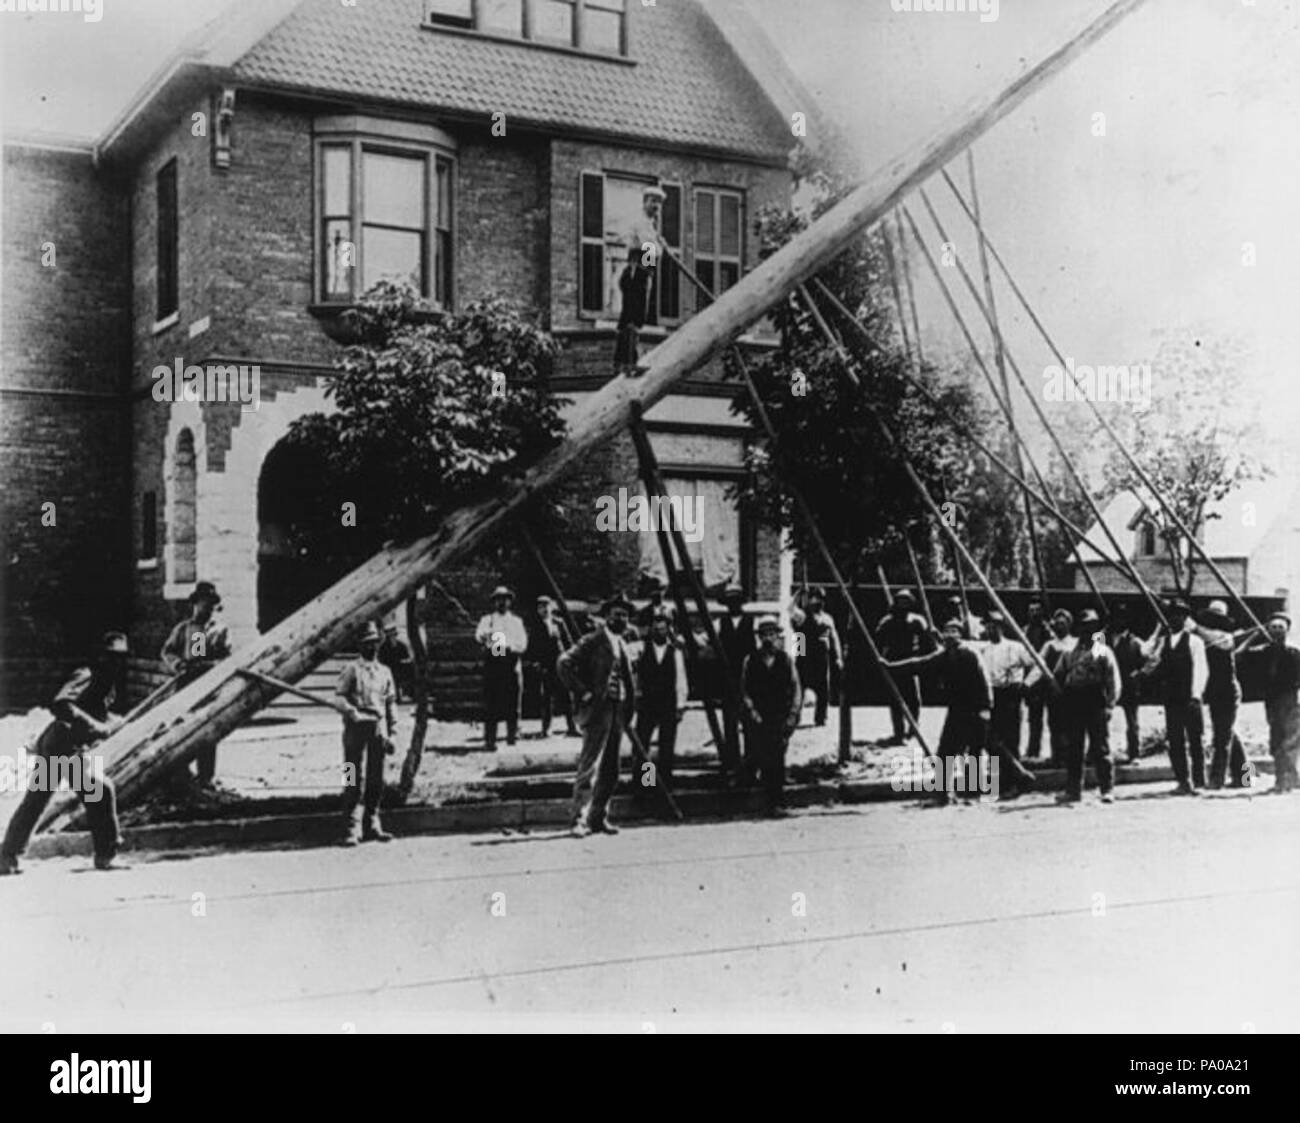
(216, 704)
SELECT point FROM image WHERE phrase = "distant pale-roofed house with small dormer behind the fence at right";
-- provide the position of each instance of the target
(1255, 540)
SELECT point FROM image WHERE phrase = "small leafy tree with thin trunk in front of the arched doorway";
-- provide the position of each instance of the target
(434, 407)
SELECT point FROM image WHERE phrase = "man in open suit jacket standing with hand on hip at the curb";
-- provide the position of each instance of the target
(599, 673)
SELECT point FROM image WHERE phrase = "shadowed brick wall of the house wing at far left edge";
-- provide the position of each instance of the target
(63, 435)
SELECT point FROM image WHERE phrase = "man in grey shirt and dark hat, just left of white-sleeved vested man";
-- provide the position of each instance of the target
(1090, 688)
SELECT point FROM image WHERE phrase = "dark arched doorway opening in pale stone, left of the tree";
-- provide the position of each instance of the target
(302, 544)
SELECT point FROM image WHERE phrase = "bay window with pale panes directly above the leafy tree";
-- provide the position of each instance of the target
(385, 210)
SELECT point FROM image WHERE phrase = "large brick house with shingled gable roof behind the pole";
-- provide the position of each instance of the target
(279, 164)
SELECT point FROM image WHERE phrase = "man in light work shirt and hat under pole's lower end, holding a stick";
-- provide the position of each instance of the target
(369, 697)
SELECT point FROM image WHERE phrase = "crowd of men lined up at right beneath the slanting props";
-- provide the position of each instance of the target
(1077, 670)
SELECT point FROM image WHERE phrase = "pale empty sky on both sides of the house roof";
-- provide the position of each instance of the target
(1117, 240)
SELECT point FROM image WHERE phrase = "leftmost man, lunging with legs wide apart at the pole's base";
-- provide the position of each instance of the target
(84, 716)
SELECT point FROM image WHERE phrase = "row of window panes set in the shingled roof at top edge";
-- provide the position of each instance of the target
(599, 27)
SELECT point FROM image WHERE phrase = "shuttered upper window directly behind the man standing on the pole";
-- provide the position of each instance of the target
(610, 207)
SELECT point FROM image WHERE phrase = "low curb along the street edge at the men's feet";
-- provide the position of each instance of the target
(322, 830)
